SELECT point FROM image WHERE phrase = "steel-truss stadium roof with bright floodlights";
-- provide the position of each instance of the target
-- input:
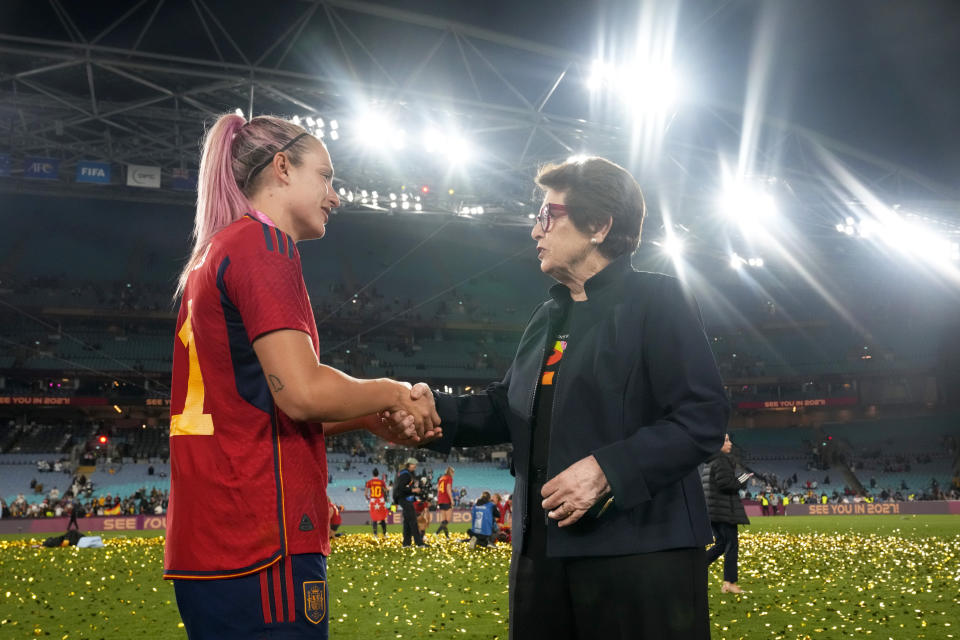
(136, 82)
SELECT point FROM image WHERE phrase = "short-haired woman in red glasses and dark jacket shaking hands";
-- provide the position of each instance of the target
(612, 401)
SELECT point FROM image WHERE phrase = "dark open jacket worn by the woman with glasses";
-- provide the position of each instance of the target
(638, 388)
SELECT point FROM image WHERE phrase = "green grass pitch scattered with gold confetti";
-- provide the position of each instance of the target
(886, 577)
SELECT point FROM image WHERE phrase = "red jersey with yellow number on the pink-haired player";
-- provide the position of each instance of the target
(248, 484)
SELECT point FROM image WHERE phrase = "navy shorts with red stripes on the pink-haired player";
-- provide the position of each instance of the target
(285, 601)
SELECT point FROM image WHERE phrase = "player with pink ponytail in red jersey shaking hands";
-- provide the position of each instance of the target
(247, 534)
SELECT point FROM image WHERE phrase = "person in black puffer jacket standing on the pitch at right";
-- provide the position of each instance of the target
(721, 485)
